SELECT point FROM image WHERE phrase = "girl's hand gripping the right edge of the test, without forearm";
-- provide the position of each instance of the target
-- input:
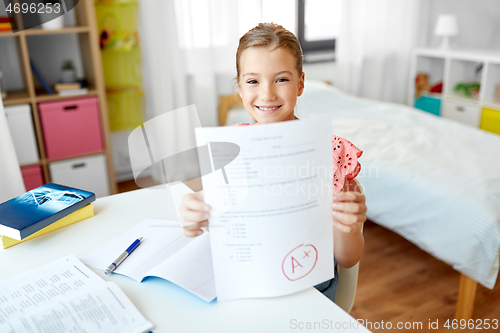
(348, 211)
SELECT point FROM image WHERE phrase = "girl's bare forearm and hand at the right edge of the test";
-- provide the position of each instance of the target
(348, 212)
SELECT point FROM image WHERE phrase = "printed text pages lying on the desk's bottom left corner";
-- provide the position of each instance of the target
(66, 296)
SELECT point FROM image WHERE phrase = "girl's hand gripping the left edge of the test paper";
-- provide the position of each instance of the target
(194, 214)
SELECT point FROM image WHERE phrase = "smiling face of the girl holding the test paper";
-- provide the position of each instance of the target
(269, 84)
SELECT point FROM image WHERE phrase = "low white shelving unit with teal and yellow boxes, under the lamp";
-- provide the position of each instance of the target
(453, 67)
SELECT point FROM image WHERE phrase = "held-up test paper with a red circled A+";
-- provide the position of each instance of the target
(271, 227)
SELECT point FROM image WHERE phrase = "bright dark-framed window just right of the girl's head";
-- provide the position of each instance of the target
(318, 25)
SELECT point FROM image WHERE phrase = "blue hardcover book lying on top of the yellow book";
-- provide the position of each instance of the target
(36, 209)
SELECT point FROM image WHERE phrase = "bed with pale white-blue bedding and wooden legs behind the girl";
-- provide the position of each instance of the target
(434, 181)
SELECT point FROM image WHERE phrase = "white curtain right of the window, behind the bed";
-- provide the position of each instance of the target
(374, 47)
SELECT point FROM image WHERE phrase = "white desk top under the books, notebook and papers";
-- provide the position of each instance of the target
(169, 307)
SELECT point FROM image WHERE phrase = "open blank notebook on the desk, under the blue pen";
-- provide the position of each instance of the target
(164, 252)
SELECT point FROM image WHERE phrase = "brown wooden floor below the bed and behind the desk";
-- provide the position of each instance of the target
(398, 282)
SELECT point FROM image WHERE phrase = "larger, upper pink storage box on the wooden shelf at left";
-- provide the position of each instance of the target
(71, 127)
